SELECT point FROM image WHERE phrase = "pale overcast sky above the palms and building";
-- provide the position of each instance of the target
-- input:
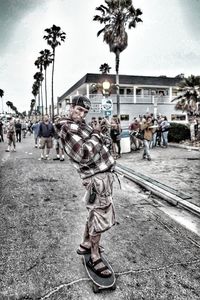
(166, 43)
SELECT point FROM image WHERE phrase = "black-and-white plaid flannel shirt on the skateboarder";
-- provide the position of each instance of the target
(86, 148)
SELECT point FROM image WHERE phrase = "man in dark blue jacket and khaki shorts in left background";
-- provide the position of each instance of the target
(46, 132)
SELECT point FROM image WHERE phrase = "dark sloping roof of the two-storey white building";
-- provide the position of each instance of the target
(123, 80)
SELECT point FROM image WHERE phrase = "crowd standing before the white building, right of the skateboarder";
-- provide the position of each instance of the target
(145, 132)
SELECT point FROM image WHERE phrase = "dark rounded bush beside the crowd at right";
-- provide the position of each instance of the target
(178, 132)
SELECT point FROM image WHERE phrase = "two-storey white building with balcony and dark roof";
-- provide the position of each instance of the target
(138, 95)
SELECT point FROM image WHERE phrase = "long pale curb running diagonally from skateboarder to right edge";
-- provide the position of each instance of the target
(159, 189)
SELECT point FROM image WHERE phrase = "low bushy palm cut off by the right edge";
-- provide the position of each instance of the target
(189, 98)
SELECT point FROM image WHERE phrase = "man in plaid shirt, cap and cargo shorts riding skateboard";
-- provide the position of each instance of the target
(88, 150)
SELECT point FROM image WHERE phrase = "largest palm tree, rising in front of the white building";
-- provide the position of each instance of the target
(117, 16)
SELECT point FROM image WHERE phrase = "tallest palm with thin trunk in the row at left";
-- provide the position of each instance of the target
(54, 38)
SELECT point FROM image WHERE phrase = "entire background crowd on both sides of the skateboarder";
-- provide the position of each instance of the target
(145, 131)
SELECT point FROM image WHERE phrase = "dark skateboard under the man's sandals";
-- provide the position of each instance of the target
(100, 283)
